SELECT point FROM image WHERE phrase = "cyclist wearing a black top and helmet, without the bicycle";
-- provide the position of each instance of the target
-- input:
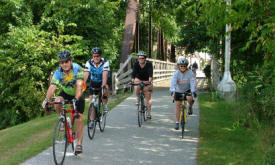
(143, 72)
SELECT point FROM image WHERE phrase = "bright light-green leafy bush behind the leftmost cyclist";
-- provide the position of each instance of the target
(24, 77)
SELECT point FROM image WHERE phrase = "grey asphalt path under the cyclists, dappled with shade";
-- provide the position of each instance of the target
(124, 143)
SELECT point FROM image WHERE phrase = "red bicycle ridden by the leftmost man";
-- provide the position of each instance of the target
(64, 130)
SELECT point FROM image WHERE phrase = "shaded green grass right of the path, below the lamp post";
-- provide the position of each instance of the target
(224, 141)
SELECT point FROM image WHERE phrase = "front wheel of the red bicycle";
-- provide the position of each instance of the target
(60, 141)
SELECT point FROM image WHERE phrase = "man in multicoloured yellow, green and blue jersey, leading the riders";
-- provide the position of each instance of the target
(69, 76)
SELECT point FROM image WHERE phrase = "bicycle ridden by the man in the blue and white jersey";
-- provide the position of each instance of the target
(99, 115)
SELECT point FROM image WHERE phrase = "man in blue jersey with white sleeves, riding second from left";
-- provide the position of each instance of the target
(98, 68)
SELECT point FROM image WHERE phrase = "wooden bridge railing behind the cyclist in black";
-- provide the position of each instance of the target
(162, 70)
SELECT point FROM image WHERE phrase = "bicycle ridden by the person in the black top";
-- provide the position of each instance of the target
(141, 107)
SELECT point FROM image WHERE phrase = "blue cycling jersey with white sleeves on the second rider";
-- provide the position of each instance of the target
(96, 70)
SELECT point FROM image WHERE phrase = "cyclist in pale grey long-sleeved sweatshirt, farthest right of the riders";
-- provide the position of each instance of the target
(182, 81)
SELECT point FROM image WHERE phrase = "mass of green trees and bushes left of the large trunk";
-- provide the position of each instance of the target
(33, 32)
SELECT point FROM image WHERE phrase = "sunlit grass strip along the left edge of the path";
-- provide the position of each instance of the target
(24, 141)
